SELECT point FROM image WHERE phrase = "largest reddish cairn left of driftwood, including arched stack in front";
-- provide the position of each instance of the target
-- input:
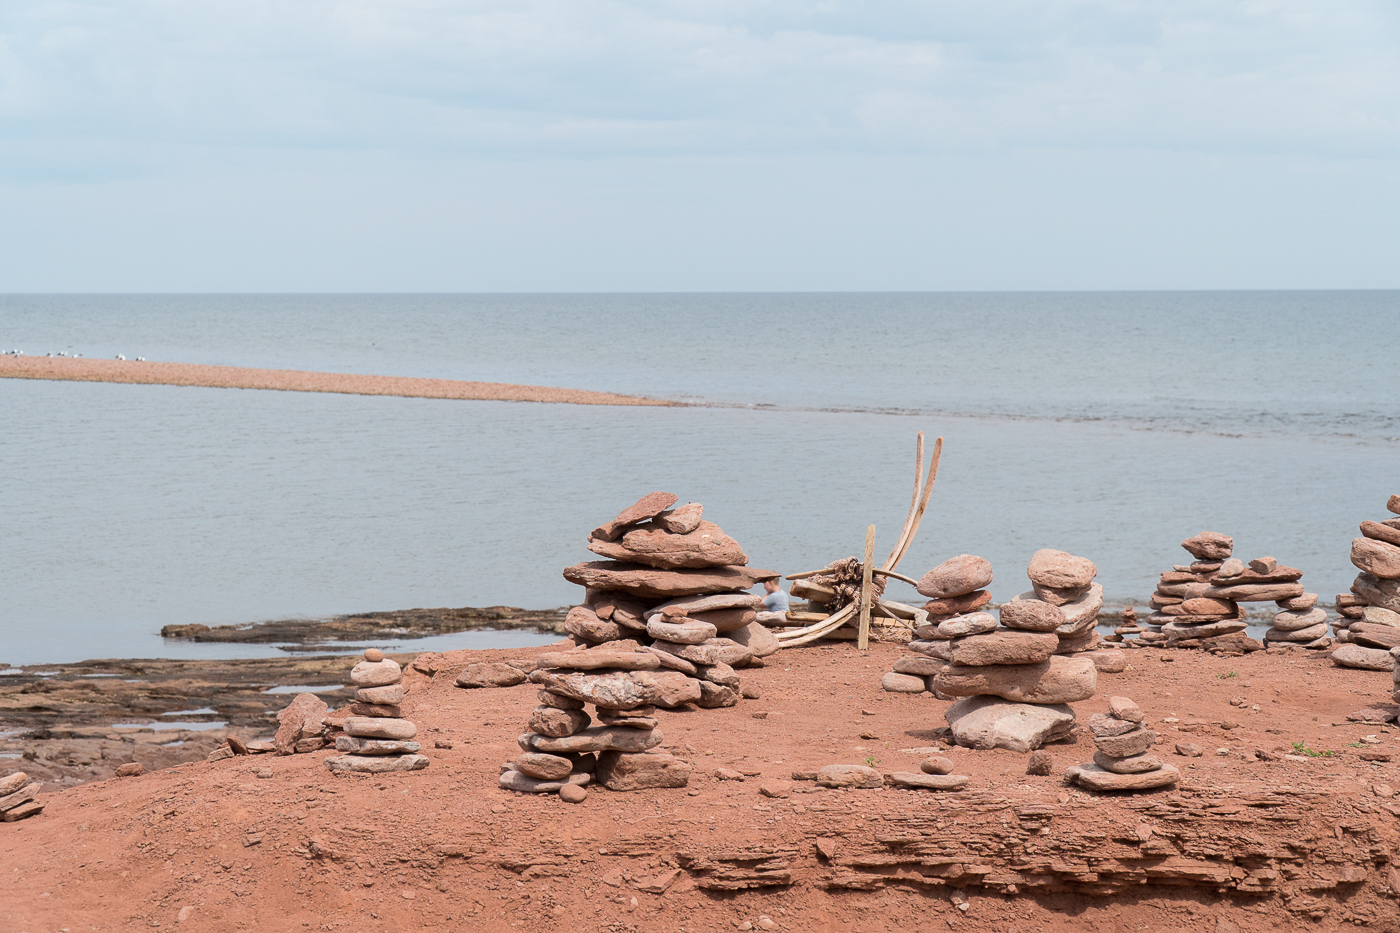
(666, 621)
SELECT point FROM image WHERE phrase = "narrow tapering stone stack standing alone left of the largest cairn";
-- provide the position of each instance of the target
(376, 738)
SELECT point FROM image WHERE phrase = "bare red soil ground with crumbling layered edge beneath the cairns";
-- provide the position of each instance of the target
(281, 845)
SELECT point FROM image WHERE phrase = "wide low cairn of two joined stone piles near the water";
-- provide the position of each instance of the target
(1199, 604)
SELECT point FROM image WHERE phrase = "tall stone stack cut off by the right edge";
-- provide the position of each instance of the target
(1370, 624)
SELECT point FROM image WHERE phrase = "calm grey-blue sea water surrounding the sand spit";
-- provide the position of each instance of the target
(1108, 425)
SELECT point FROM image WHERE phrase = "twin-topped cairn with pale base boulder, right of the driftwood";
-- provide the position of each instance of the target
(1011, 679)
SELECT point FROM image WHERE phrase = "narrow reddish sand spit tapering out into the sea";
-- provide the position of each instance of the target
(146, 373)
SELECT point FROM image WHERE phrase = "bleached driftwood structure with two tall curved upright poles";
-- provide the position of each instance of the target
(852, 592)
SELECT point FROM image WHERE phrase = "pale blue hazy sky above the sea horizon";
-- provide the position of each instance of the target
(698, 146)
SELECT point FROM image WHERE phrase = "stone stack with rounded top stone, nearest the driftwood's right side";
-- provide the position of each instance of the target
(957, 590)
